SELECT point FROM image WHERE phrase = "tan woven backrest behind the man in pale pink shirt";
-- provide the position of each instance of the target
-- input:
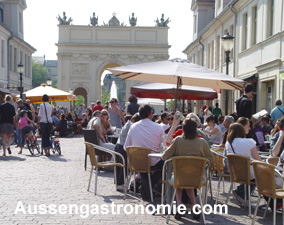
(138, 159)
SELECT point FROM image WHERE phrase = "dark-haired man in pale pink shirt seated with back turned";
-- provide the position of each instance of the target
(148, 134)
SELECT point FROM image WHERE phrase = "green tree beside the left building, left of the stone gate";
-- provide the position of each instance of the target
(39, 73)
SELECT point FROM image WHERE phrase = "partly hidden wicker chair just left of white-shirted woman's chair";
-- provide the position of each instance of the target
(219, 168)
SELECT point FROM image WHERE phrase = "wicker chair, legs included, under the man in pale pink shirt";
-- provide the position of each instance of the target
(139, 162)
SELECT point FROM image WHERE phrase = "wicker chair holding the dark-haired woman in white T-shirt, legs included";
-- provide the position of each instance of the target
(239, 167)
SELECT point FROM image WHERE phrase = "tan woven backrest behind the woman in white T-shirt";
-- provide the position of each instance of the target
(239, 167)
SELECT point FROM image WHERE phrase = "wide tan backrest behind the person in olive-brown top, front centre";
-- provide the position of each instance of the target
(188, 171)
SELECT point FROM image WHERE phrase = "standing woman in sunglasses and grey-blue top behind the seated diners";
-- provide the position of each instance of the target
(115, 114)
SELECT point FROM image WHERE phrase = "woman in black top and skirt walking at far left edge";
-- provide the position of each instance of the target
(7, 113)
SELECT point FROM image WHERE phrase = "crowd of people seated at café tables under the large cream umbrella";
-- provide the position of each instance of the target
(192, 135)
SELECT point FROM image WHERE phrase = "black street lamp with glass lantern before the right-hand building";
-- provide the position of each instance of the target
(227, 44)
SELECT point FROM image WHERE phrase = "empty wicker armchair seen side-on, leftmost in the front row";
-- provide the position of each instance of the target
(91, 151)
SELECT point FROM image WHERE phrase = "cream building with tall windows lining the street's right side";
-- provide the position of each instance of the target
(257, 56)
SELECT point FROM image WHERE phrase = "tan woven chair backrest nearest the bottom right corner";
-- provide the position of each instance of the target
(265, 179)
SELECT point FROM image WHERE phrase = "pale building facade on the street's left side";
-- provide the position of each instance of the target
(13, 48)
